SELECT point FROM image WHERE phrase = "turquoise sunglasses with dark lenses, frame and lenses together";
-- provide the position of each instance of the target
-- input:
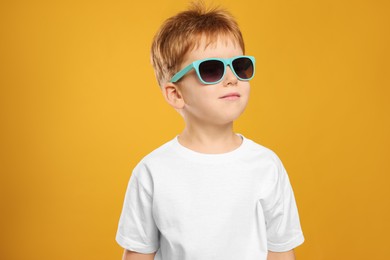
(212, 70)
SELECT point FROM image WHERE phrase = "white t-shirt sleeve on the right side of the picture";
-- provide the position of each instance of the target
(281, 214)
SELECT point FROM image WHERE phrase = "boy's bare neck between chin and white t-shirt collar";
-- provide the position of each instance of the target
(211, 140)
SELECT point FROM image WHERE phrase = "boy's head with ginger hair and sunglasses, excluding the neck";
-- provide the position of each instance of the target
(199, 64)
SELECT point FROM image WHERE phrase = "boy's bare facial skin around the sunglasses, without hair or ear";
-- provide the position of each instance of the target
(206, 104)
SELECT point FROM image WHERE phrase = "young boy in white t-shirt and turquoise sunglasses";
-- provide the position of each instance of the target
(209, 193)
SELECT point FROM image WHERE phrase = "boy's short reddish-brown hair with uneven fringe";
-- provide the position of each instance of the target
(181, 33)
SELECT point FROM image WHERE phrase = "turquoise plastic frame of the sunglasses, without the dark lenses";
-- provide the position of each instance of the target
(226, 62)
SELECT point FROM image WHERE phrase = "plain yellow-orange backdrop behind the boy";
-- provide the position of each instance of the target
(80, 107)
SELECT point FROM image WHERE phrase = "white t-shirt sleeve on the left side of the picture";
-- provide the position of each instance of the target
(137, 230)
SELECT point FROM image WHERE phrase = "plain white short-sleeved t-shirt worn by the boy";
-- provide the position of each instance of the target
(188, 205)
